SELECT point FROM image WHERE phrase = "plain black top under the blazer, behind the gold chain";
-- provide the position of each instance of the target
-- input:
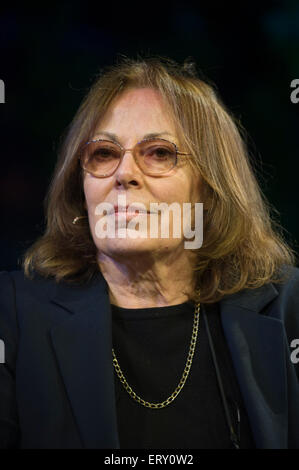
(151, 346)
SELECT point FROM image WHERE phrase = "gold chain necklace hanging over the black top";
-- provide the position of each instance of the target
(184, 375)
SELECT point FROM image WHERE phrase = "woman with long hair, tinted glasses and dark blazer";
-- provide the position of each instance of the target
(119, 336)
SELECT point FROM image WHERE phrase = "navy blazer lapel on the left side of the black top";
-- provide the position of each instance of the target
(83, 346)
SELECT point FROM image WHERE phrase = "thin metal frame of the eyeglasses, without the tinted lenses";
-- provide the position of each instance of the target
(150, 139)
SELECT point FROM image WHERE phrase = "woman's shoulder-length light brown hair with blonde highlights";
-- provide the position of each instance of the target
(243, 246)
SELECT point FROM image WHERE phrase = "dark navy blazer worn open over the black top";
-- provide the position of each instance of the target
(57, 381)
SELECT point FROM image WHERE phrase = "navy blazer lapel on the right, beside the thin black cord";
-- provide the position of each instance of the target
(256, 342)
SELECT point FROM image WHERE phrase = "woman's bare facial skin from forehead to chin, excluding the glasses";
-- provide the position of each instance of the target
(134, 114)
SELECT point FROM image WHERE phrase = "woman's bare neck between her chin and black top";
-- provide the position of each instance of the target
(148, 281)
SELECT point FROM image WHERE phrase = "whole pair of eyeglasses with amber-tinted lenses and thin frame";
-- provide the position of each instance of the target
(101, 158)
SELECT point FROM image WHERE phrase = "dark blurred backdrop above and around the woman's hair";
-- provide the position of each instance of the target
(51, 55)
